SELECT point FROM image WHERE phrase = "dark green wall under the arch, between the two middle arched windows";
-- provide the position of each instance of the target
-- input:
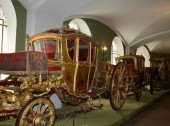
(102, 34)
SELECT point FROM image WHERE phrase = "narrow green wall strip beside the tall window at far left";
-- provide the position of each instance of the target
(21, 14)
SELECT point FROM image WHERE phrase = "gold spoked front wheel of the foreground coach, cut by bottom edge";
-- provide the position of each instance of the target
(39, 111)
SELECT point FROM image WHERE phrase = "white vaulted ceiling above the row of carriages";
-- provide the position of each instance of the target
(138, 22)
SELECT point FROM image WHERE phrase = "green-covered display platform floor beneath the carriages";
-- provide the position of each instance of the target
(106, 116)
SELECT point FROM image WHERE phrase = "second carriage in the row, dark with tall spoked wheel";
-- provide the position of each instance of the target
(127, 76)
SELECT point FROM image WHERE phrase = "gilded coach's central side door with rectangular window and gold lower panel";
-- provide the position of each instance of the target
(83, 65)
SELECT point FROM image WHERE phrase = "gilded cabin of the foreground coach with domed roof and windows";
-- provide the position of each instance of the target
(70, 53)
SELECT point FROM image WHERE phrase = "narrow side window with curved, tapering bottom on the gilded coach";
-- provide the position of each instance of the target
(71, 47)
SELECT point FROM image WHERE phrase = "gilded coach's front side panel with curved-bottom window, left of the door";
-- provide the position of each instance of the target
(70, 61)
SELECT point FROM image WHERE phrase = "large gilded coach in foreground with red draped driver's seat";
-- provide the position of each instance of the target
(61, 61)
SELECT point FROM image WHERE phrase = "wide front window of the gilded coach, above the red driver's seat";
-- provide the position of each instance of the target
(49, 46)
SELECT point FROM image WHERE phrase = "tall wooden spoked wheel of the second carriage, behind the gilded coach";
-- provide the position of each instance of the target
(118, 87)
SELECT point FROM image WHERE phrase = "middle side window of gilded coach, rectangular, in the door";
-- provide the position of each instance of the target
(83, 50)
